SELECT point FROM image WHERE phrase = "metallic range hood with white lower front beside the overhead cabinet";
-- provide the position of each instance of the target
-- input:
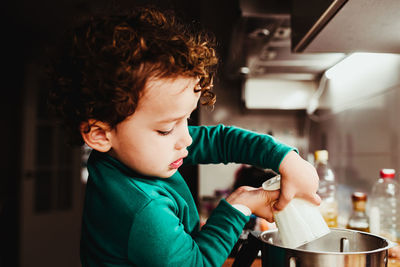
(274, 77)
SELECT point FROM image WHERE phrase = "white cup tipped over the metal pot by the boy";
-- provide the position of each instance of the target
(299, 222)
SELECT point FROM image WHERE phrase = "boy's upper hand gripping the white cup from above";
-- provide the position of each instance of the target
(298, 179)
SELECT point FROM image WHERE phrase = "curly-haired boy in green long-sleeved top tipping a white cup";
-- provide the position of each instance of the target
(127, 90)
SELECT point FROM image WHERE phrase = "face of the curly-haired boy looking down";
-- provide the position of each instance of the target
(154, 139)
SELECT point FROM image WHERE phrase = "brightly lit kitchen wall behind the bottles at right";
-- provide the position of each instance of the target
(360, 127)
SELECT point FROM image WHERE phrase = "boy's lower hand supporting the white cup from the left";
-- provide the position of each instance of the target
(258, 200)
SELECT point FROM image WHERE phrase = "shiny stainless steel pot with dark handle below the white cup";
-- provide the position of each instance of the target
(341, 247)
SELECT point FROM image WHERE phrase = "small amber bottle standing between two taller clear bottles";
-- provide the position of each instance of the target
(358, 219)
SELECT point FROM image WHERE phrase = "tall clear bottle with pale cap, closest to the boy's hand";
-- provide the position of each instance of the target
(327, 188)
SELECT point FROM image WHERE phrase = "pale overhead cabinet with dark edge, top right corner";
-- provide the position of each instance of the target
(345, 26)
